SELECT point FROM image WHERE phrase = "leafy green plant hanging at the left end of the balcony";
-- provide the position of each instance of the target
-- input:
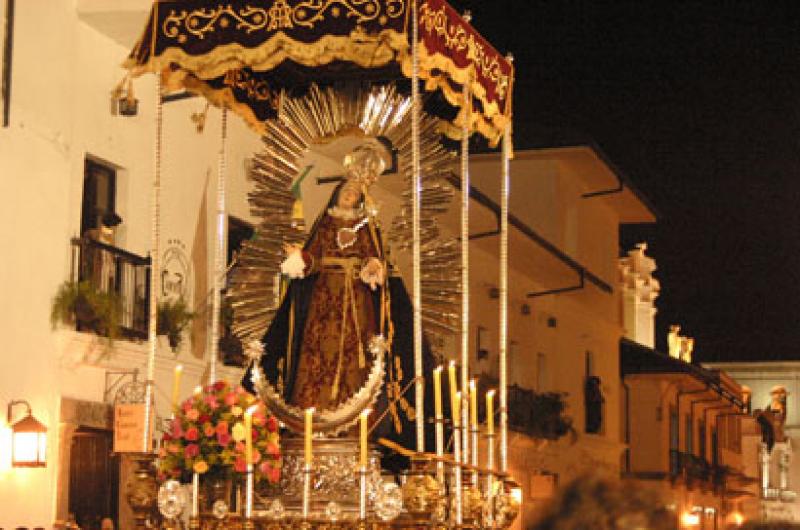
(91, 309)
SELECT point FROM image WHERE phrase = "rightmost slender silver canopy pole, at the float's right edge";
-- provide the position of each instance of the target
(504, 194)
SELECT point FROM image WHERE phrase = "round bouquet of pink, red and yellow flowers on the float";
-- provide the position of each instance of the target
(207, 436)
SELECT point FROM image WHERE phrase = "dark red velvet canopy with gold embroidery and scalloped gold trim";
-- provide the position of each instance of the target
(242, 53)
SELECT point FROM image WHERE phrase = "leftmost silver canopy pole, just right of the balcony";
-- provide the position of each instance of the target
(155, 234)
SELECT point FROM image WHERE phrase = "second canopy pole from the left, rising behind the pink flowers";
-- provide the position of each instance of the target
(219, 251)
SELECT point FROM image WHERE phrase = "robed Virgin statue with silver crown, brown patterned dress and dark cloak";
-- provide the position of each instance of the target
(319, 347)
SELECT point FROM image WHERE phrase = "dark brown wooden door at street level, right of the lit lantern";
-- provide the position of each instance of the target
(93, 478)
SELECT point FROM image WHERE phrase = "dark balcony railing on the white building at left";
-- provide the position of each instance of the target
(111, 269)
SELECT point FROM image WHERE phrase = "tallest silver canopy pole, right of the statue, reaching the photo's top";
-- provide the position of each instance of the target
(416, 186)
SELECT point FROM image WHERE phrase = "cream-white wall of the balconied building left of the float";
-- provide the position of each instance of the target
(63, 73)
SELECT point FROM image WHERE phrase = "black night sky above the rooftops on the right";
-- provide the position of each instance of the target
(699, 106)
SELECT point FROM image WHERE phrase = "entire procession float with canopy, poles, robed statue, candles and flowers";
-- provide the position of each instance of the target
(342, 419)
